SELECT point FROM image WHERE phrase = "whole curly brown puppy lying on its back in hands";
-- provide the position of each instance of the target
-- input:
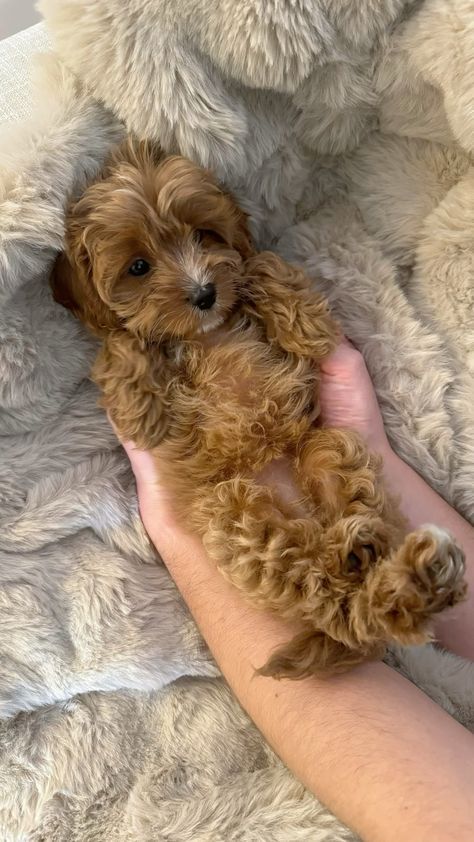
(208, 359)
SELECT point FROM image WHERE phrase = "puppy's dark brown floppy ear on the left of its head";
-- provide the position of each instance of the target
(73, 287)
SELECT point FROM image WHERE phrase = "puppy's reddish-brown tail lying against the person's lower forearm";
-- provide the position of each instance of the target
(315, 653)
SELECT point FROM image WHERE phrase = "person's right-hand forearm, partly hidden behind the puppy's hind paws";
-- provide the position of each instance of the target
(421, 505)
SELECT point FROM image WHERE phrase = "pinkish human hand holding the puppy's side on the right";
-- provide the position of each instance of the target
(348, 399)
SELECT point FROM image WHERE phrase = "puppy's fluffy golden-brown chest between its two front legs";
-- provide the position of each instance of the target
(244, 393)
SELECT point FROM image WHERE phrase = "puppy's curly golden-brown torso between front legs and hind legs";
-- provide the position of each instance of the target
(240, 411)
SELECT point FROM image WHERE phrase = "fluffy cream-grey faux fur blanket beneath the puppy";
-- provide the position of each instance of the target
(346, 130)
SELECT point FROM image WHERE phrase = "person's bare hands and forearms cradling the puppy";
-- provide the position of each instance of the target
(380, 754)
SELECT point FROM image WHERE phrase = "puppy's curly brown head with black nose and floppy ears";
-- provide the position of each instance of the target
(155, 247)
